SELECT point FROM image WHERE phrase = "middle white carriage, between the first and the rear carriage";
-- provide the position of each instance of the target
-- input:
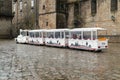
(57, 37)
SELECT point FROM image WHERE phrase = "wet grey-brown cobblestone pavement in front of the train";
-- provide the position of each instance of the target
(28, 62)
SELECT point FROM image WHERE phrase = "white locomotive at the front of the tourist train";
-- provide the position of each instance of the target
(22, 37)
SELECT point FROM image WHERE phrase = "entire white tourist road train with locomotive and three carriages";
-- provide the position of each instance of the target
(92, 39)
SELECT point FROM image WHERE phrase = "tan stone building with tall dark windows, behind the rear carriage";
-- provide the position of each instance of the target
(95, 13)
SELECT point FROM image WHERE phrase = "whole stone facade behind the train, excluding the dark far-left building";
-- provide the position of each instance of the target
(47, 14)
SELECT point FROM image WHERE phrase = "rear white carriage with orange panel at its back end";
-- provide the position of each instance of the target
(88, 39)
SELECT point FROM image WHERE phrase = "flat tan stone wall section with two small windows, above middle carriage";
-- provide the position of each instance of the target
(47, 14)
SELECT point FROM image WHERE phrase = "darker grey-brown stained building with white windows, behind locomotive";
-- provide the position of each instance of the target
(25, 14)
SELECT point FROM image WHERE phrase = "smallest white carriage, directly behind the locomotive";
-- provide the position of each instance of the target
(37, 37)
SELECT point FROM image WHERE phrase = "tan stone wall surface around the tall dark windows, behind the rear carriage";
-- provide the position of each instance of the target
(103, 17)
